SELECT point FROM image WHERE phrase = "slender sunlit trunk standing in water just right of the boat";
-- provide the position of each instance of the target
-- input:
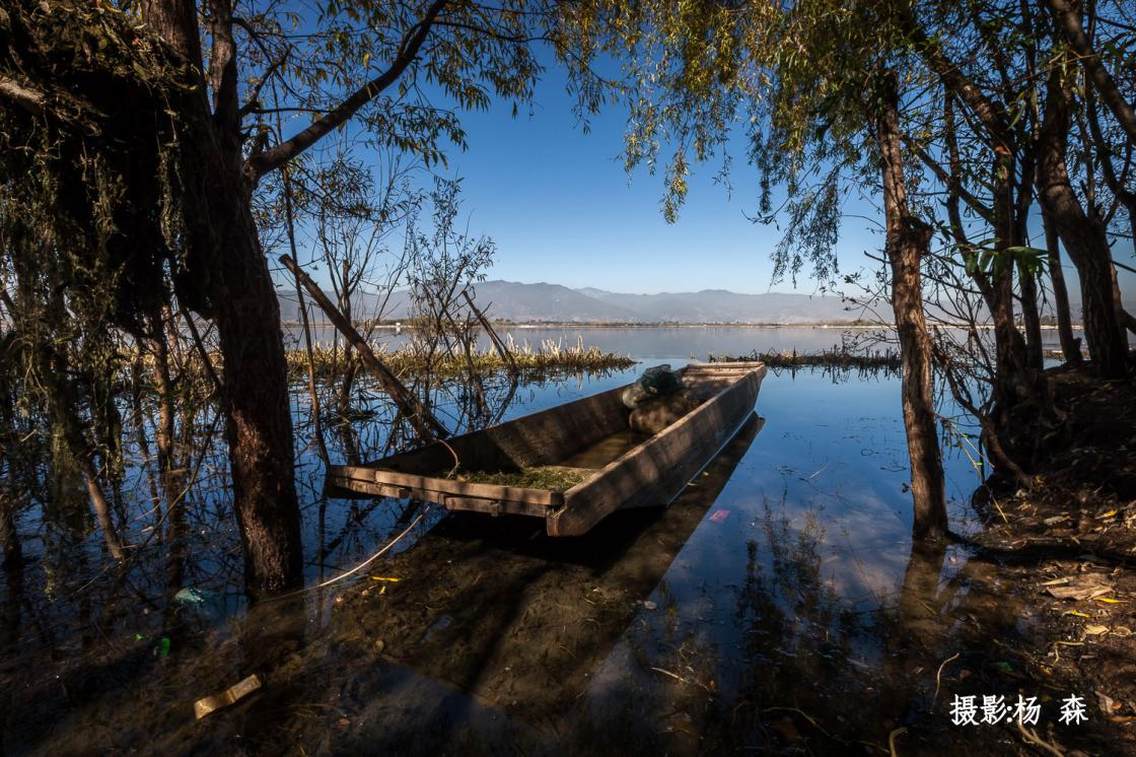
(908, 240)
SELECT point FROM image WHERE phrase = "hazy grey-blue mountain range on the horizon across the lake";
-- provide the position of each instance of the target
(541, 303)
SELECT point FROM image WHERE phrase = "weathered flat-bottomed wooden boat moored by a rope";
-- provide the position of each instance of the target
(587, 444)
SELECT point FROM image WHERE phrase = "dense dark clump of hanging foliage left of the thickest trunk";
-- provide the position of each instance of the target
(93, 142)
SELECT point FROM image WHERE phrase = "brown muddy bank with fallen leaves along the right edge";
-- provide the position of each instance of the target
(1066, 550)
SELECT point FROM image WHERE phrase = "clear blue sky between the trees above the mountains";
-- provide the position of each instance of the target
(563, 210)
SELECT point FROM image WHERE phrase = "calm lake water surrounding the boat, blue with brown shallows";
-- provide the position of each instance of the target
(773, 606)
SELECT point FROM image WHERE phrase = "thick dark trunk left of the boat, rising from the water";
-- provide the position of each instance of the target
(229, 268)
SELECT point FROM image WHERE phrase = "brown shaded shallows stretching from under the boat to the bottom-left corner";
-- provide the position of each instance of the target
(491, 630)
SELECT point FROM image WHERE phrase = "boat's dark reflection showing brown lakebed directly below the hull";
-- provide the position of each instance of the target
(514, 618)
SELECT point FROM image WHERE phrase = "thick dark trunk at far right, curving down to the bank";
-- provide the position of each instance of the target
(1083, 235)
